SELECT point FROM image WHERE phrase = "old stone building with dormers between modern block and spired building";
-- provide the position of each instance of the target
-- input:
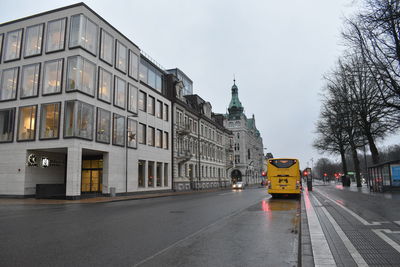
(202, 147)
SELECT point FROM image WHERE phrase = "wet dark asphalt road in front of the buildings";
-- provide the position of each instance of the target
(225, 228)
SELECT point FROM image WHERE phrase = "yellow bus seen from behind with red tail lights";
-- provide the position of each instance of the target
(283, 177)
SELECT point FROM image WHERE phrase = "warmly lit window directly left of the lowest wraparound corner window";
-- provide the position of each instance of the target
(50, 120)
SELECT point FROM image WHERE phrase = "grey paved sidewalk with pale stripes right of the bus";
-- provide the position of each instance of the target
(360, 228)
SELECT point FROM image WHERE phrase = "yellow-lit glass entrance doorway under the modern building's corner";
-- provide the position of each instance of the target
(92, 175)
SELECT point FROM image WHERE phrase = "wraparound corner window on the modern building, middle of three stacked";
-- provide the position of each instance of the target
(81, 75)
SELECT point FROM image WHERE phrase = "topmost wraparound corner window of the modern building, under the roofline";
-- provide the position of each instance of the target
(83, 33)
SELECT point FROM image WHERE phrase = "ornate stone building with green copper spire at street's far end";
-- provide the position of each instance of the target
(248, 144)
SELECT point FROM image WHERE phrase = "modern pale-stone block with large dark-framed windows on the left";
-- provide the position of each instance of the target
(82, 112)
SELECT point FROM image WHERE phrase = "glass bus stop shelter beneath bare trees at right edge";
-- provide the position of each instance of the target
(384, 176)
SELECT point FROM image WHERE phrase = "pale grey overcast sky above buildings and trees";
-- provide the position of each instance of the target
(278, 51)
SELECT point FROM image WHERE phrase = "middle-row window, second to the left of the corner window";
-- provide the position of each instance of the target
(30, 80)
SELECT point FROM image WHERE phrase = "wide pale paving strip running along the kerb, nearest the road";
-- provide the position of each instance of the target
(321, 252)
